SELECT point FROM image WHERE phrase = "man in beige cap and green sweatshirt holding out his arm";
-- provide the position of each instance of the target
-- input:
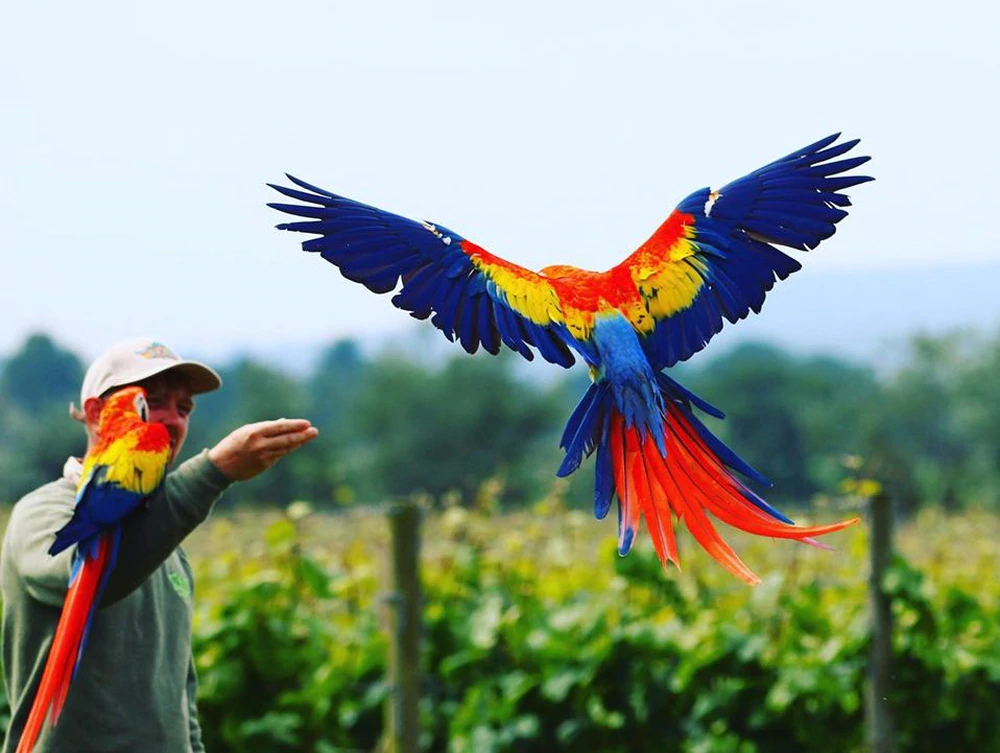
(135, 688)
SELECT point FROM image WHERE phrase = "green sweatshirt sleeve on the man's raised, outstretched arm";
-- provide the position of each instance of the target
(150, 534)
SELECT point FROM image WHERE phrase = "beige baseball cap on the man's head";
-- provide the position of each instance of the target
(131, 361)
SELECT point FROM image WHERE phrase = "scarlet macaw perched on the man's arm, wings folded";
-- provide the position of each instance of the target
(126, 465)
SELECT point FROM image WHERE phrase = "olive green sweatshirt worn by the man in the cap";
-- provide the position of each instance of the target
(135, 684)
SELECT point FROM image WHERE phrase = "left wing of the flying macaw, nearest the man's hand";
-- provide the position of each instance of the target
(469, 294)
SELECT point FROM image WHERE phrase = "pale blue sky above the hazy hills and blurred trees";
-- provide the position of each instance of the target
(137, 139)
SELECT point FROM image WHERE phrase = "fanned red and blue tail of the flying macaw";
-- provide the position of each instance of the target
(667, 463)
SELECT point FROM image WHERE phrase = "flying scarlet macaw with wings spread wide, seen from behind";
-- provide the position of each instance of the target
(712, 259)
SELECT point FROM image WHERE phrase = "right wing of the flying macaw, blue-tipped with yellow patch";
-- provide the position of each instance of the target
(714, 257)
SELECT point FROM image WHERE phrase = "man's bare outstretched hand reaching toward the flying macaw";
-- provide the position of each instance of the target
(253, 448)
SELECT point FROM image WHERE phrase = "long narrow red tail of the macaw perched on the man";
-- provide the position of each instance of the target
(67, 644)
